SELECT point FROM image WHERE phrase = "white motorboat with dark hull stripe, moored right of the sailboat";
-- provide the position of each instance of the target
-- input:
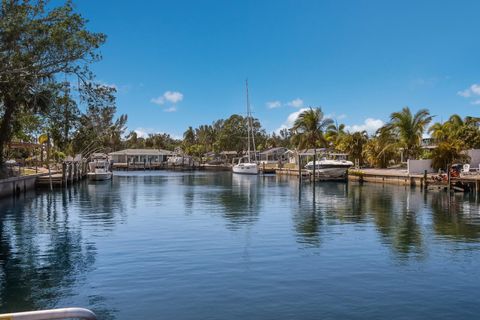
(330, 166)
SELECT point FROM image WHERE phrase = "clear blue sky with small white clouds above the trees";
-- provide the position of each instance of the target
(184, 63)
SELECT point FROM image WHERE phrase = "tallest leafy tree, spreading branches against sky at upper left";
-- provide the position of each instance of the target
(37, 43)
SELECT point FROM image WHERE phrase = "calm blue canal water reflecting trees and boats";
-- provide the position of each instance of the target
(213, 246)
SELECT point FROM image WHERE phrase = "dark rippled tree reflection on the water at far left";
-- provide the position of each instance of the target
(42, 254)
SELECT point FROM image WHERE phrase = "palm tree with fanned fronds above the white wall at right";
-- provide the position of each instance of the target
(409, 129)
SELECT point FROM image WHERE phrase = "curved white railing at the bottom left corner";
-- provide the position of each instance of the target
(65, 313)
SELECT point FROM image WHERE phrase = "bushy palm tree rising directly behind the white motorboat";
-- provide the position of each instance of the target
(309, 129)
